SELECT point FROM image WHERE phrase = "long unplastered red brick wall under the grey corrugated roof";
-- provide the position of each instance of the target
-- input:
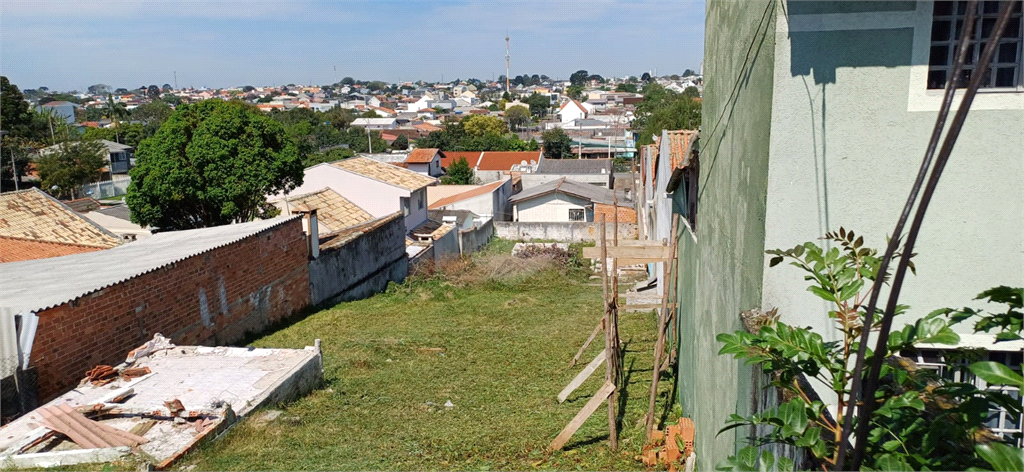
(212, 298)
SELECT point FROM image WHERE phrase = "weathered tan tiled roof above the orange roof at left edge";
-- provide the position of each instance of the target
(34, 216)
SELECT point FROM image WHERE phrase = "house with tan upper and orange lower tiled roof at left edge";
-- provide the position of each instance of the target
(35, 226)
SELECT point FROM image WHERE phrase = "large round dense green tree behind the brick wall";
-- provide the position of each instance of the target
(212, 163)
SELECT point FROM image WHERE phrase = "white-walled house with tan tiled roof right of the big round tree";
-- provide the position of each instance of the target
(377, 188)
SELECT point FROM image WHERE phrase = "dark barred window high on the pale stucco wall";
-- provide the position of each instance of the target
(1006, 69)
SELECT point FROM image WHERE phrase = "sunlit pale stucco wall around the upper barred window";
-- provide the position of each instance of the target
(844, 153)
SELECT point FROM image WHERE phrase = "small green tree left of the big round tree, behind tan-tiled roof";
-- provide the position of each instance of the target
(72, 164)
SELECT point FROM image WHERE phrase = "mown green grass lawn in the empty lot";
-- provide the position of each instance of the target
(498, 349)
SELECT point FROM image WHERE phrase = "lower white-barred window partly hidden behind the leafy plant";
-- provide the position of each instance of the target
(946, 364)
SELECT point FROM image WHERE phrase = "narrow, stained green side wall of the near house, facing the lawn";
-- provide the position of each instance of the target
(720, 266)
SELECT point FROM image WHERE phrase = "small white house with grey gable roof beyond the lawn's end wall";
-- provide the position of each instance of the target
(567, 201)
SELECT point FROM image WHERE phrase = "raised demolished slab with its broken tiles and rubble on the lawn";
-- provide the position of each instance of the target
(190, 395)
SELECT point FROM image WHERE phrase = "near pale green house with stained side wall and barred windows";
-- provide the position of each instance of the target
(794, 147)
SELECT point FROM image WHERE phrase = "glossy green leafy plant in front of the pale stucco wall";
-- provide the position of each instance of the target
(922, 422)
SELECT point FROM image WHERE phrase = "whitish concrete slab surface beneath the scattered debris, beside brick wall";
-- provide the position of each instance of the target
(220, 383)
